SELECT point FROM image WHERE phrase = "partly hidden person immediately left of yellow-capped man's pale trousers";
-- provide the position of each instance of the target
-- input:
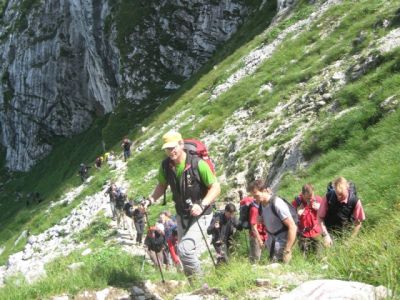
(170, 229)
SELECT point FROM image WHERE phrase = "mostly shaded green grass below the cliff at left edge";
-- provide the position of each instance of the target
(51, 177)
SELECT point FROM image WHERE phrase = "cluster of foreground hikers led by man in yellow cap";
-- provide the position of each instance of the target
(273, 223)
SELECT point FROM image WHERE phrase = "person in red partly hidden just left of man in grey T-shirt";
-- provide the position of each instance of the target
(257, 231)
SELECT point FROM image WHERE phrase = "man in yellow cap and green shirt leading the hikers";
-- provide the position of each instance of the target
(195, 188)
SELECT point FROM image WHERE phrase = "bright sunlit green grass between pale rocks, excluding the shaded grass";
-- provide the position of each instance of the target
(367, 151)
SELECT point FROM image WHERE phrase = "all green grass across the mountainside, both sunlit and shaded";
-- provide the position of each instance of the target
(362, 145)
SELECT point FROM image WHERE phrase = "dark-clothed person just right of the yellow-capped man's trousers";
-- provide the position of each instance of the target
(222, 228)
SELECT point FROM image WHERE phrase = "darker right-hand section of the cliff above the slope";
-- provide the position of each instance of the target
(174, 41)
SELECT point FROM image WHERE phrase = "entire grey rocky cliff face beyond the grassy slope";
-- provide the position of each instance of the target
(60, 65)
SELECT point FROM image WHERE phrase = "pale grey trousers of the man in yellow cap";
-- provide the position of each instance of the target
(191, 242)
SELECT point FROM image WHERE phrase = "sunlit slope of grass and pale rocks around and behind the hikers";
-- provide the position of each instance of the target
(312, 97)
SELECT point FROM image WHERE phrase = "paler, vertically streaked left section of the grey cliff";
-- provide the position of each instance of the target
(57, 71)
